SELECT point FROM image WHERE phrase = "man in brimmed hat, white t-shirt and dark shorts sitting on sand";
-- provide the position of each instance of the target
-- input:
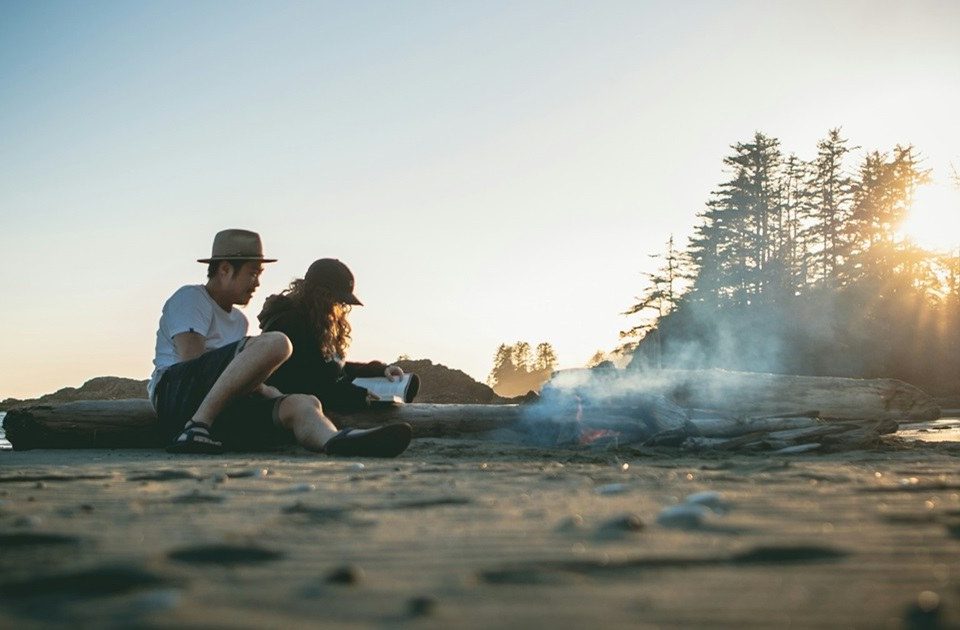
(208, 383)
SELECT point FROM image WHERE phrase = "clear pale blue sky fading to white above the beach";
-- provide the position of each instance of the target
(491, 171)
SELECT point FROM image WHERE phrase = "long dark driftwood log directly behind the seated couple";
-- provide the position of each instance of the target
(133, 423)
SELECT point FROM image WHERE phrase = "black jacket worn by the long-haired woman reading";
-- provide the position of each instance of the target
(307, 371)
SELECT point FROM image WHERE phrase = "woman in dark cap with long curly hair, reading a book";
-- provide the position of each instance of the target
(312, 312)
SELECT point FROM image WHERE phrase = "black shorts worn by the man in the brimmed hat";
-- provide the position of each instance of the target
(249, 423)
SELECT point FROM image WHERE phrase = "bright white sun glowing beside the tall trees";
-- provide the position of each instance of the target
(934, 219)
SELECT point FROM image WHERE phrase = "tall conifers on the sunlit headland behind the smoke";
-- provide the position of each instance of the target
(798, 266)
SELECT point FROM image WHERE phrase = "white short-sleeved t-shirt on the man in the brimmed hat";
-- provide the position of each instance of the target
(191, 309)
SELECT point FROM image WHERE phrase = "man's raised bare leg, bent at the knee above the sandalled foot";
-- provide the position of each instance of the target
(259, 359)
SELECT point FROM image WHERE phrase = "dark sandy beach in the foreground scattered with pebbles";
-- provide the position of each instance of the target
(479, 534)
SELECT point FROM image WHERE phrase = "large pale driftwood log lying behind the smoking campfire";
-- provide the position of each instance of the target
(758, 394)
